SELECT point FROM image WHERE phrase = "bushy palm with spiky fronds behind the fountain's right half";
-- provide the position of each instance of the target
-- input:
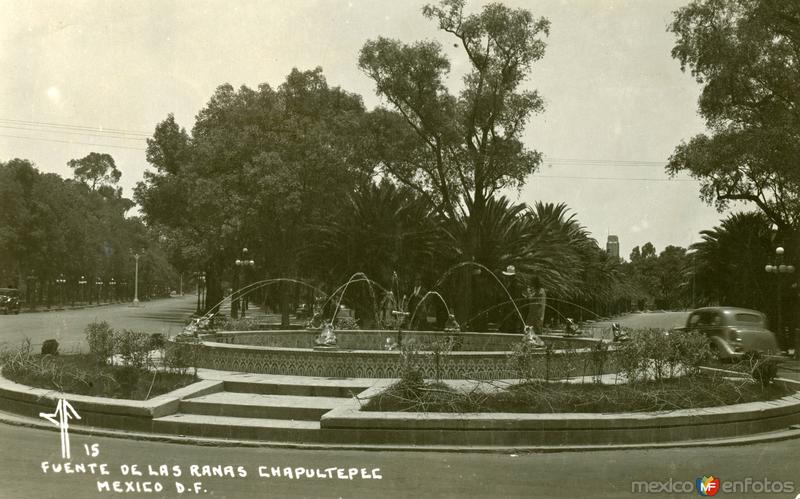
(545, 241)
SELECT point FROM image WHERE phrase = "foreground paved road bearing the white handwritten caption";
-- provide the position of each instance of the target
(404, 474)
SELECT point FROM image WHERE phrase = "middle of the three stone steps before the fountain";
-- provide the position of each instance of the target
(250, 405)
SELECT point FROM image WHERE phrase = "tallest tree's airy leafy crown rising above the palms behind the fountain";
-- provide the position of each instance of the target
(459, 150)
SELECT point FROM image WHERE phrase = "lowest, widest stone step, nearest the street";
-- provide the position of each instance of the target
(271, 430)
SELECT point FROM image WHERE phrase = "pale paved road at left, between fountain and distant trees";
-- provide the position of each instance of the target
(165, 316)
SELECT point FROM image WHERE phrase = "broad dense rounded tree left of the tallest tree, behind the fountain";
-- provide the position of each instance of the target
(259, 166)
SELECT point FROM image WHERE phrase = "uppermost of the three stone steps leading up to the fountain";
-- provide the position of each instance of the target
(312, 387)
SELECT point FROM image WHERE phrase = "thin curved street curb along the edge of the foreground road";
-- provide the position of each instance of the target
(790, 433)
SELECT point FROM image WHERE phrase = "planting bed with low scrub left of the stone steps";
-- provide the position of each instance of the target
(81, 374)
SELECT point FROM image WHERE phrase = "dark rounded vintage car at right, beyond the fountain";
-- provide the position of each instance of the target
(733, 331)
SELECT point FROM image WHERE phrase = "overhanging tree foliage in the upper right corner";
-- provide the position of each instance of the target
(745, 54)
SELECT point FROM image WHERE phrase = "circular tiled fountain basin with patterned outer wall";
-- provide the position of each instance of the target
(359, 354)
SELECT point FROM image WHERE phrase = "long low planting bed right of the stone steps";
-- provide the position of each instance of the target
(698, 390)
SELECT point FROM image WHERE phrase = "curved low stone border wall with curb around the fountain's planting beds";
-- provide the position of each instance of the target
(133, 419)
